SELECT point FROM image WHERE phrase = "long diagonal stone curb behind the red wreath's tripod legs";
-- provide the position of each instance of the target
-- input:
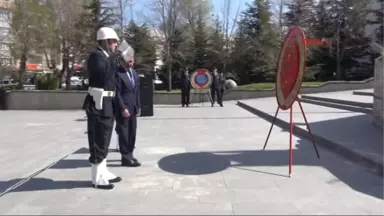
(372, 165)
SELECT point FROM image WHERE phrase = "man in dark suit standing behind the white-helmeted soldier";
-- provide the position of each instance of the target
(128, 108)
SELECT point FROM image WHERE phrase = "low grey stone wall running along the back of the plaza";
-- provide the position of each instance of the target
(65, 100)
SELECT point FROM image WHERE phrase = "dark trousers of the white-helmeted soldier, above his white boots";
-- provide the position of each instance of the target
(99, 136)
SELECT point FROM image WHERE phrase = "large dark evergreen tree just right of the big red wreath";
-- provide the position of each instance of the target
(343, 24)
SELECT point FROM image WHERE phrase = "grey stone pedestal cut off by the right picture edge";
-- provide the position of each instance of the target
(378, 101)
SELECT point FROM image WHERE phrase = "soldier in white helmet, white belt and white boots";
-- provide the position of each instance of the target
(98, 104)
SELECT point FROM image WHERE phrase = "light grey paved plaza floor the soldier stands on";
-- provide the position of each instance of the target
(196, 160)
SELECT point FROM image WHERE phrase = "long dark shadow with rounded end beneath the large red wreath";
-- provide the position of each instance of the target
(202, 163)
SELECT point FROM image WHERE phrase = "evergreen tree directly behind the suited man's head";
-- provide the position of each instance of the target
(144, 46)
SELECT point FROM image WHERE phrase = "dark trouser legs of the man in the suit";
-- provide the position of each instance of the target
(126, 131)
